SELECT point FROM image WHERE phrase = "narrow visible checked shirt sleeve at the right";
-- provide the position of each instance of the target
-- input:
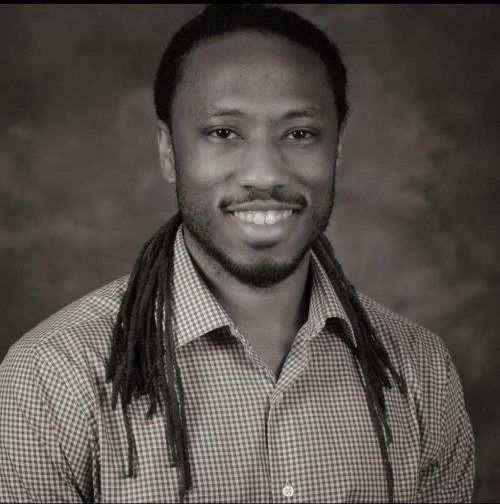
(448, 476)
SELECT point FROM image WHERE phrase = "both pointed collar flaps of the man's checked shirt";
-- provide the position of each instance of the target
(197, 312)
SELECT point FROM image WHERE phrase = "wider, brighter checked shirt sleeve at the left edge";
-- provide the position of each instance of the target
(45, 448)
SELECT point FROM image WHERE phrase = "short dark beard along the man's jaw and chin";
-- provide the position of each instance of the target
(263, 273)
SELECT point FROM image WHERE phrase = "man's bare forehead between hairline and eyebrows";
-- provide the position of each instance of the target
(258, 72)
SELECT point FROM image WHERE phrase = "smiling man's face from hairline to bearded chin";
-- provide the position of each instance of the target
(254, 134)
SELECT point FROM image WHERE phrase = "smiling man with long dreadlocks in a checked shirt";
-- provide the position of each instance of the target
(237, 363)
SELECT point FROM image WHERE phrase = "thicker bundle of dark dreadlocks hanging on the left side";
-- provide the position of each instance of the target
(142, 360)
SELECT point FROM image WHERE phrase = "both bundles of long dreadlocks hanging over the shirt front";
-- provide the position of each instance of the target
(143, 360)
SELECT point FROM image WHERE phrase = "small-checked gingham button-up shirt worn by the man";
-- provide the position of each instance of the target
(251, 438)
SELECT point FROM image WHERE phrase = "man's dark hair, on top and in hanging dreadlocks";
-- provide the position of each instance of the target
(143, 360)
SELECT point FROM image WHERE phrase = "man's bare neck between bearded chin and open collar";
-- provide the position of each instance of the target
(278, 310)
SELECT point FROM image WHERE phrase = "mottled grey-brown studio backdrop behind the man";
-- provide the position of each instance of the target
(415, 223)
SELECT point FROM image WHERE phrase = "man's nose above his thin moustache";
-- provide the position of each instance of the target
(263, 166)
